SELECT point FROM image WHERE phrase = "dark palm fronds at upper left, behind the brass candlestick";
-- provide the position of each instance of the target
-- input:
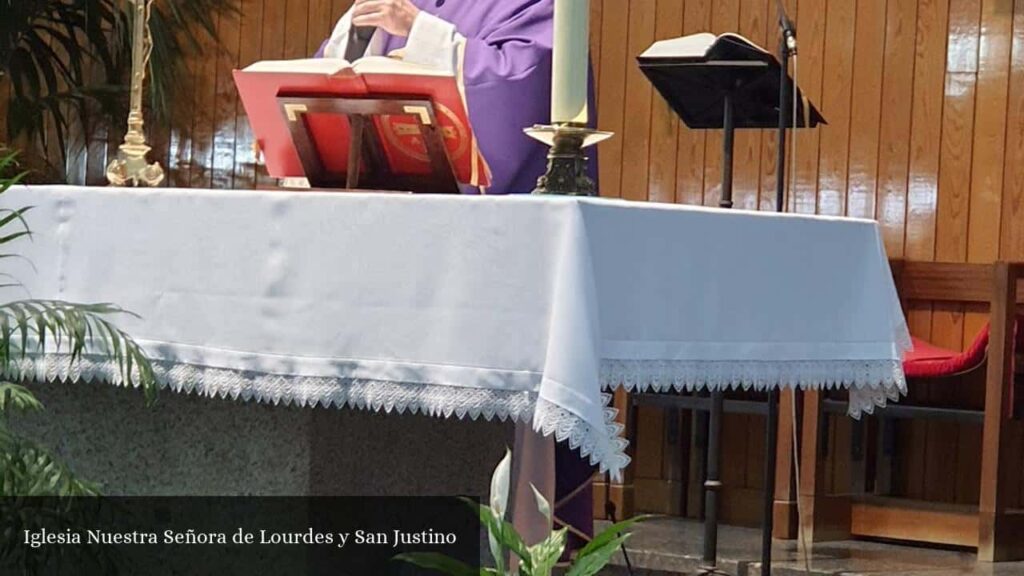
(66, 60)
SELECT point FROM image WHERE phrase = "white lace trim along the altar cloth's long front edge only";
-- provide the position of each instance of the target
(605, 448)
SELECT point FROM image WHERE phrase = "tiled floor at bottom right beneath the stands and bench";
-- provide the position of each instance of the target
(669, 547)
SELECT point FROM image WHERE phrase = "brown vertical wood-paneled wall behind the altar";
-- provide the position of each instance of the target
(925, 101)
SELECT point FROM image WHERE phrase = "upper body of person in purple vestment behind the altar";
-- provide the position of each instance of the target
(500, 52)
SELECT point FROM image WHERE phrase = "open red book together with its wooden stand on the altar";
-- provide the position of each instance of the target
(379, 125)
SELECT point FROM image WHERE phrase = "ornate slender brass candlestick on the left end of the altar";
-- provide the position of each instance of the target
(132, 164)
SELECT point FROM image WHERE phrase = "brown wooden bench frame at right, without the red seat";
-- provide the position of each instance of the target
(869, 510)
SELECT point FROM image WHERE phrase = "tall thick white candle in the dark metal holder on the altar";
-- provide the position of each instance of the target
(572, 61)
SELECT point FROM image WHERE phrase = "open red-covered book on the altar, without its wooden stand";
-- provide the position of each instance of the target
(402, 144)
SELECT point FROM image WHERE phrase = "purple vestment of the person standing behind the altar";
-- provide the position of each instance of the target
(508, 81)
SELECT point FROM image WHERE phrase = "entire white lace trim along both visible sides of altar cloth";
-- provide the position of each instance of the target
(872, 385)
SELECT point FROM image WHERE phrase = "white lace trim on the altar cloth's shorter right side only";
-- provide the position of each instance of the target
(872, 383)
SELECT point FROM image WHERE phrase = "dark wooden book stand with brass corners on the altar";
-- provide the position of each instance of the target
(368, 164)
